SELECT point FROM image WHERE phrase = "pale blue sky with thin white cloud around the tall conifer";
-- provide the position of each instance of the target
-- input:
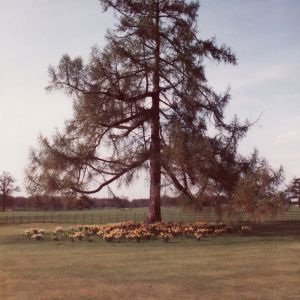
(264, 34)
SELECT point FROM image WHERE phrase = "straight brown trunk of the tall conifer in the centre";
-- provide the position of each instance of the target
(154, 214)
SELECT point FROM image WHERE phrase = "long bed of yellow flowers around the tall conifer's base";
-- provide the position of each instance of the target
(130, 231)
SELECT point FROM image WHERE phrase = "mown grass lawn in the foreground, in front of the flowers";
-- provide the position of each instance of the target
(227, 267)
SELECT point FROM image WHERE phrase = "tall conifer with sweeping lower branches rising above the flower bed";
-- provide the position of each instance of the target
(142, 102)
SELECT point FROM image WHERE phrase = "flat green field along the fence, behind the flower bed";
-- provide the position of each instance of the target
(118, 215)
